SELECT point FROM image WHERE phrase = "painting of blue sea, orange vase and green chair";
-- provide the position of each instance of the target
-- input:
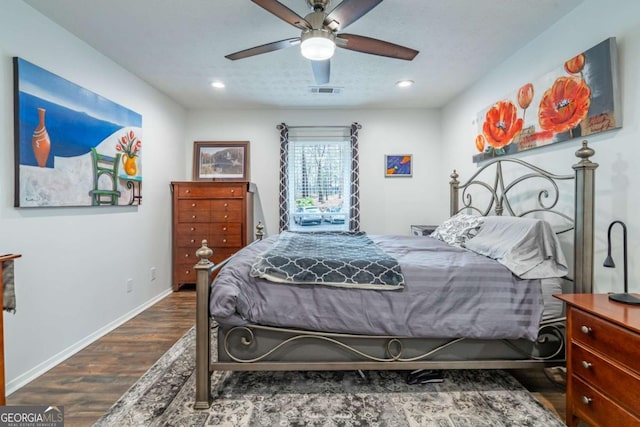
(57, 125)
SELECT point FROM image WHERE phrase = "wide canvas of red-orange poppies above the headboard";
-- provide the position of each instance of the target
(577, 99)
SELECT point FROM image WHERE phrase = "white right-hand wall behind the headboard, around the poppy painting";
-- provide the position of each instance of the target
(617, 182)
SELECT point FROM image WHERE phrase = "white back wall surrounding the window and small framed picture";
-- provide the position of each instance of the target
(388, 205)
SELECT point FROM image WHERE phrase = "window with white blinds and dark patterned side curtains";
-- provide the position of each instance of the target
(319, 179)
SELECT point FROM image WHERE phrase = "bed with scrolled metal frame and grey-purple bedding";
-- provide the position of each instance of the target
(250, 337)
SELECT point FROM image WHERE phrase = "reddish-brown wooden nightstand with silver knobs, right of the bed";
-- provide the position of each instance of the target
(603, 361)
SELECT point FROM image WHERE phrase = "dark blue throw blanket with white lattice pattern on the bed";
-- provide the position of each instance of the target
(346, 259)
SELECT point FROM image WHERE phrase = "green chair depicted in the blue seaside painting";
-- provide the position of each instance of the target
(105, 179)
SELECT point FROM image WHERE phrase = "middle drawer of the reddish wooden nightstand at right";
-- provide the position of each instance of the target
(616, 382)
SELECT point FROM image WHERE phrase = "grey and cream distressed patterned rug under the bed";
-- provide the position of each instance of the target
(164, 397)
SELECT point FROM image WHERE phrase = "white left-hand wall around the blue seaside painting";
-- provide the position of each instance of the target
(70, 282)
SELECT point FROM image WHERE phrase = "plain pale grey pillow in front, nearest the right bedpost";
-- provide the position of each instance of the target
(526, 246)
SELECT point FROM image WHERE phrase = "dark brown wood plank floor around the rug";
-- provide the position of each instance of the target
(89, 382)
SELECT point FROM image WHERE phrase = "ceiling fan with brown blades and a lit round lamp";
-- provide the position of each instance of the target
(320, 35)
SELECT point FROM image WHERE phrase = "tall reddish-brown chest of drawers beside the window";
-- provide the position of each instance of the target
(220, 212)
